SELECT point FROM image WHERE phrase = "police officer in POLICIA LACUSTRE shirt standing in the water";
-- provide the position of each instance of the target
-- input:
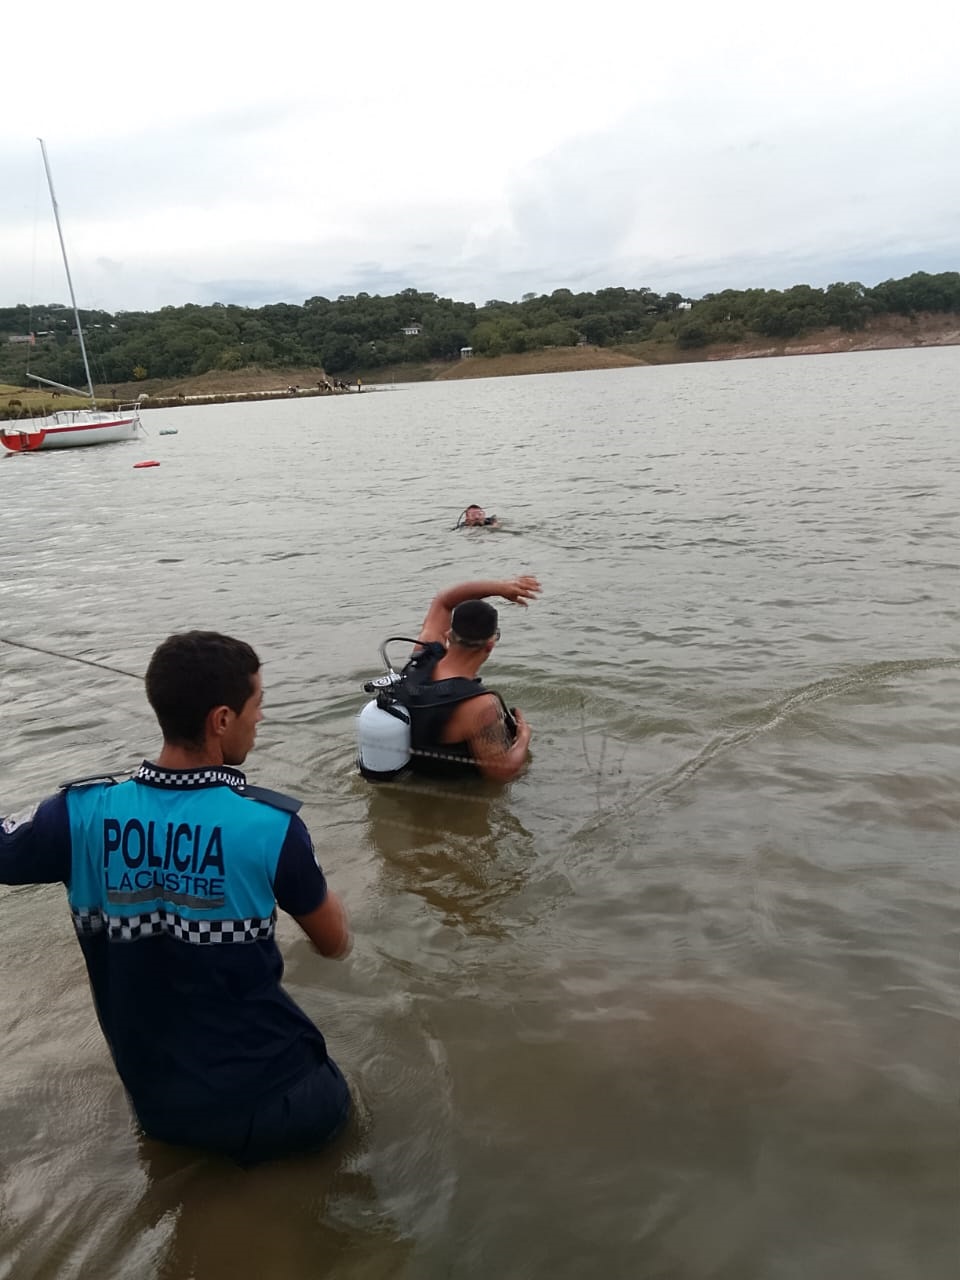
(173, 879)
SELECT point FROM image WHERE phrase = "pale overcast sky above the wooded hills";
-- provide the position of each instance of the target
(228, 154)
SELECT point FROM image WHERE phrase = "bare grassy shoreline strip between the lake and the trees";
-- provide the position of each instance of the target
(883, 335)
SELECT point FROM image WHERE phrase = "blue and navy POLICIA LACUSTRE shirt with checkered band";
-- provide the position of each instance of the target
(173, 880)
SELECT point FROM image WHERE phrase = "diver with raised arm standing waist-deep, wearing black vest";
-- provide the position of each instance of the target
(456, 726)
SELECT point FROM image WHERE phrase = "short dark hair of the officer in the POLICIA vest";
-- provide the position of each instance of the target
(193, 673)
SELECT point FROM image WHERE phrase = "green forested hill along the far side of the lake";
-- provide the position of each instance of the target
(368, 332)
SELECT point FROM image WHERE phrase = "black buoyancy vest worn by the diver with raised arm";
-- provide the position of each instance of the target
(431, 705)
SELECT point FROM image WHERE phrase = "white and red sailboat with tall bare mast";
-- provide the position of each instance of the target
(66, 429)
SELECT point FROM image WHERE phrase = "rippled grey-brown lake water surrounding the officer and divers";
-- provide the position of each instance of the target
(683, 1002)
